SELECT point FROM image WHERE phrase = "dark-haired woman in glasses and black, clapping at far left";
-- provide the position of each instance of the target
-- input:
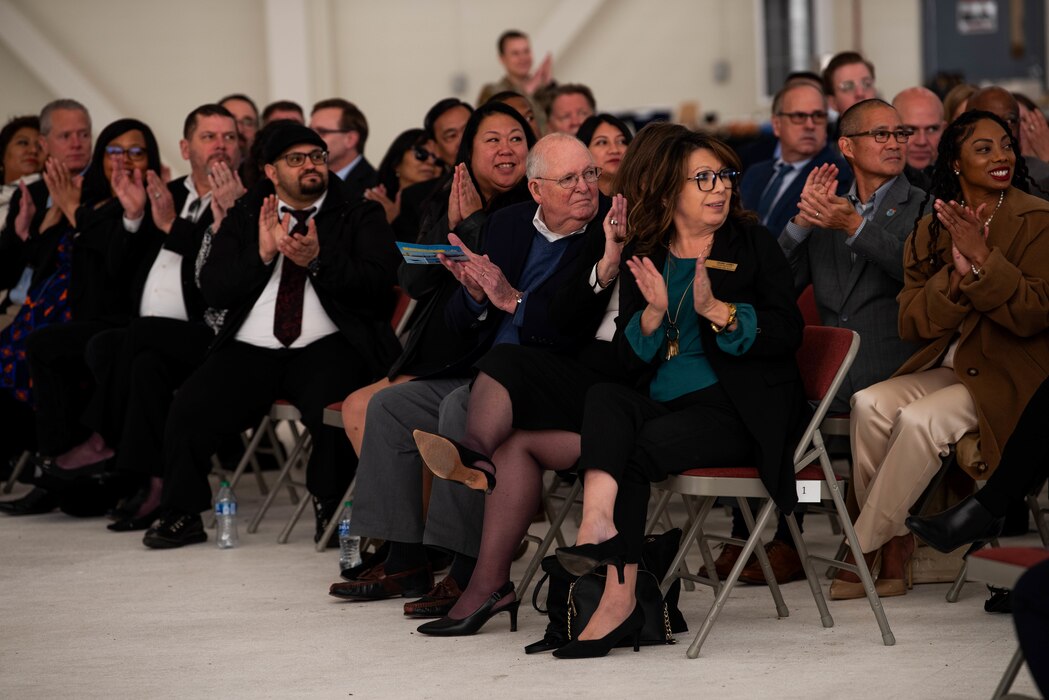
(81, 286)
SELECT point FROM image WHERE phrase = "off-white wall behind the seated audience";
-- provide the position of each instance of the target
(157, 60)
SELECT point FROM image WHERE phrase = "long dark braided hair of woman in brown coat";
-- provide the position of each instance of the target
(947, 186)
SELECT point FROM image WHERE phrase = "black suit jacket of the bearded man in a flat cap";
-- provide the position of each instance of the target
(357, 265)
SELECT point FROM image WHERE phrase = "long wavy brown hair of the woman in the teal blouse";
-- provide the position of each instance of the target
(652, 176)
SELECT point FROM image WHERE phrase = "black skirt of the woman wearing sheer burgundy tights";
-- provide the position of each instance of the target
(549, 390)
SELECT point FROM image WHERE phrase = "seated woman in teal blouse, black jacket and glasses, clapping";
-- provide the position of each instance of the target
(708, 312)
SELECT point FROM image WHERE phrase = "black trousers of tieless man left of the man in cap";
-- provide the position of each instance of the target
(138, 371)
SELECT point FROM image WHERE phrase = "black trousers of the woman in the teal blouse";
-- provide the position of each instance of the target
(640, 441)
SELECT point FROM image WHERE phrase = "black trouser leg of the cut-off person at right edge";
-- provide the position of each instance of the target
(1025, 459)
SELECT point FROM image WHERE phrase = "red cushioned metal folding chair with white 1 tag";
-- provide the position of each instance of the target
(824, 359)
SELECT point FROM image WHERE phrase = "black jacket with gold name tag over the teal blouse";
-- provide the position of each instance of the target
(764, 384)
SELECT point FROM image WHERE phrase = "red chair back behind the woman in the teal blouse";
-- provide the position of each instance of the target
(824, 359)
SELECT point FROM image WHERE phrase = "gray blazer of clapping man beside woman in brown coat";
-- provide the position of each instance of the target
(862, 295)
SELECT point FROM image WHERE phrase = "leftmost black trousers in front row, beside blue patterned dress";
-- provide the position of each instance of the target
(61, 383)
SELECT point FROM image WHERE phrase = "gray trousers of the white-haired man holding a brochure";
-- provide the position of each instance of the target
(389, 499)
